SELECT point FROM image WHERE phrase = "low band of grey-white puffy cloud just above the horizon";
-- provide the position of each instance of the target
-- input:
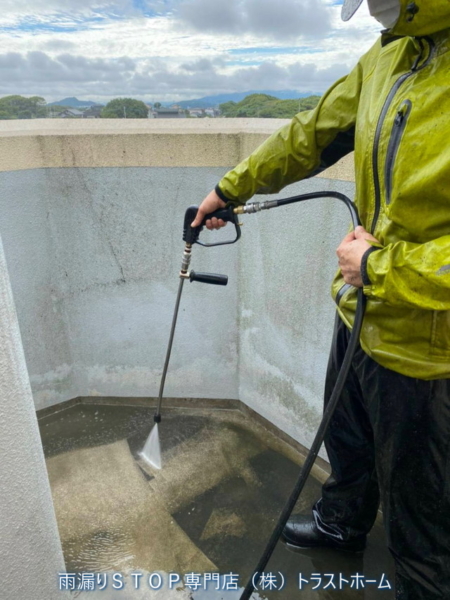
(102, 79)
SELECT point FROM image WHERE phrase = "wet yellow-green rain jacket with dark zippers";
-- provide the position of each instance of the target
(393, 109)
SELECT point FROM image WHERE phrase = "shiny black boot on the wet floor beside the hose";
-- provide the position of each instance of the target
(301, 532)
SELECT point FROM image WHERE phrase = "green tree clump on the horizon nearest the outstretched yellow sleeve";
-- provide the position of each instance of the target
(265, 106)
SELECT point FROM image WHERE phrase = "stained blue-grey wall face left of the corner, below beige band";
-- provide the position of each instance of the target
(94, 256)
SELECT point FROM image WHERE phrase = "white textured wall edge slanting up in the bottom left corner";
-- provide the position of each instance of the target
(30, 550)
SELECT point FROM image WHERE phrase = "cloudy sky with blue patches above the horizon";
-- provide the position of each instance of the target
(163, 50)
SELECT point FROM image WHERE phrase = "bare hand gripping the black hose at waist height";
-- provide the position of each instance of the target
(350, 253)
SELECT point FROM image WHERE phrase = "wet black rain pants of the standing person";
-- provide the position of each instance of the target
(389, 439)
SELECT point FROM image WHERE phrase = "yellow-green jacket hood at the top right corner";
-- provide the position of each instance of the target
(422, 17)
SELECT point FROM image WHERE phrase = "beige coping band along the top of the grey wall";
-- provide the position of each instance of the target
(56, 143)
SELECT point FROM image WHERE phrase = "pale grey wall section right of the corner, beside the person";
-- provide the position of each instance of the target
(286, 313)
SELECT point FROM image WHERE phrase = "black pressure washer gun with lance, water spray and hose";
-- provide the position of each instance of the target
(151, 452)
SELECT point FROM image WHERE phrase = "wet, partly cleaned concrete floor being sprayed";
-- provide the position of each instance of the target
(210, 509)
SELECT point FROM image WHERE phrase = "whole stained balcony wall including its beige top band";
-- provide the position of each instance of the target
(92, 216)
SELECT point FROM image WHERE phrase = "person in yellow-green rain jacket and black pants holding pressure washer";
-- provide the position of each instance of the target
(390, 435)
